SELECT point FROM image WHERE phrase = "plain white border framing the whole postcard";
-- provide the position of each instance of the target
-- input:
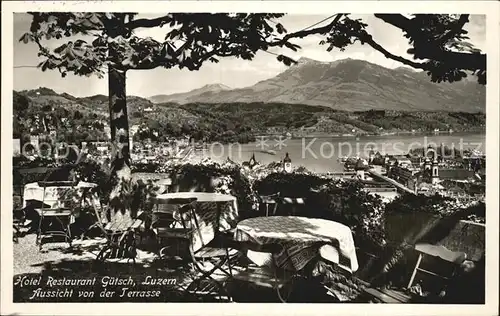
(490, 8)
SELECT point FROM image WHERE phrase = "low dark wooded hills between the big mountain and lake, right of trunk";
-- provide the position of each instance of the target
(302, 120)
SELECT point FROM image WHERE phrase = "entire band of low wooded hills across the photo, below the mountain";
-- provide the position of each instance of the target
(43, 111)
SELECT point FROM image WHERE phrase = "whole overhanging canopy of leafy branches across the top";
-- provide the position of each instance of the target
(193, 38)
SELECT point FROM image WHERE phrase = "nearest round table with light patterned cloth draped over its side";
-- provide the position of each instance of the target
(303, 239)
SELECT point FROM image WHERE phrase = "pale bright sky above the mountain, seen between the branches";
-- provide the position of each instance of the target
(232, 72)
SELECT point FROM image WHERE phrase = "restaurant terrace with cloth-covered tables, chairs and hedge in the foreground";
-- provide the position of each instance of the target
(306, 214)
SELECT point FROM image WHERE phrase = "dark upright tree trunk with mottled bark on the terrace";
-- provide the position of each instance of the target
(120, 151)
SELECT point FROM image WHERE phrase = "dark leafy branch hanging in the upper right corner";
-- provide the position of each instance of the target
(438, 39)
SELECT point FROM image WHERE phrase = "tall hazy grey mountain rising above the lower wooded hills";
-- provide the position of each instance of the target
(350, 85)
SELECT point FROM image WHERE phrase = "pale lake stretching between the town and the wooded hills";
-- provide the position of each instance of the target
(321, 154)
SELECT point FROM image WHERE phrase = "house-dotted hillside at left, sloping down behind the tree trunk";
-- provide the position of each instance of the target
(42, 110)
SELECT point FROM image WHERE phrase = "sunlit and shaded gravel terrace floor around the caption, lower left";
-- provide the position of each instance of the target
(58, 260)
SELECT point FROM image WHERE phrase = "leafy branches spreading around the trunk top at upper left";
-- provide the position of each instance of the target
(191, 39)
